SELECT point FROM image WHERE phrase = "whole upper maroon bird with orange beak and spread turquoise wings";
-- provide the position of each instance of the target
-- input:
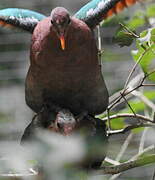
(64, 68)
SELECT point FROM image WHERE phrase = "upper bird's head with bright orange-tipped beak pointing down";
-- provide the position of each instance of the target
(60, 20)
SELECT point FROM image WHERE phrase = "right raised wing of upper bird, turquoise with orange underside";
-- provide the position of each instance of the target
(97, 10)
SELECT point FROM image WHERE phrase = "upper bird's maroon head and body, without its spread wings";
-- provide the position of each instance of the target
(64, 68)
